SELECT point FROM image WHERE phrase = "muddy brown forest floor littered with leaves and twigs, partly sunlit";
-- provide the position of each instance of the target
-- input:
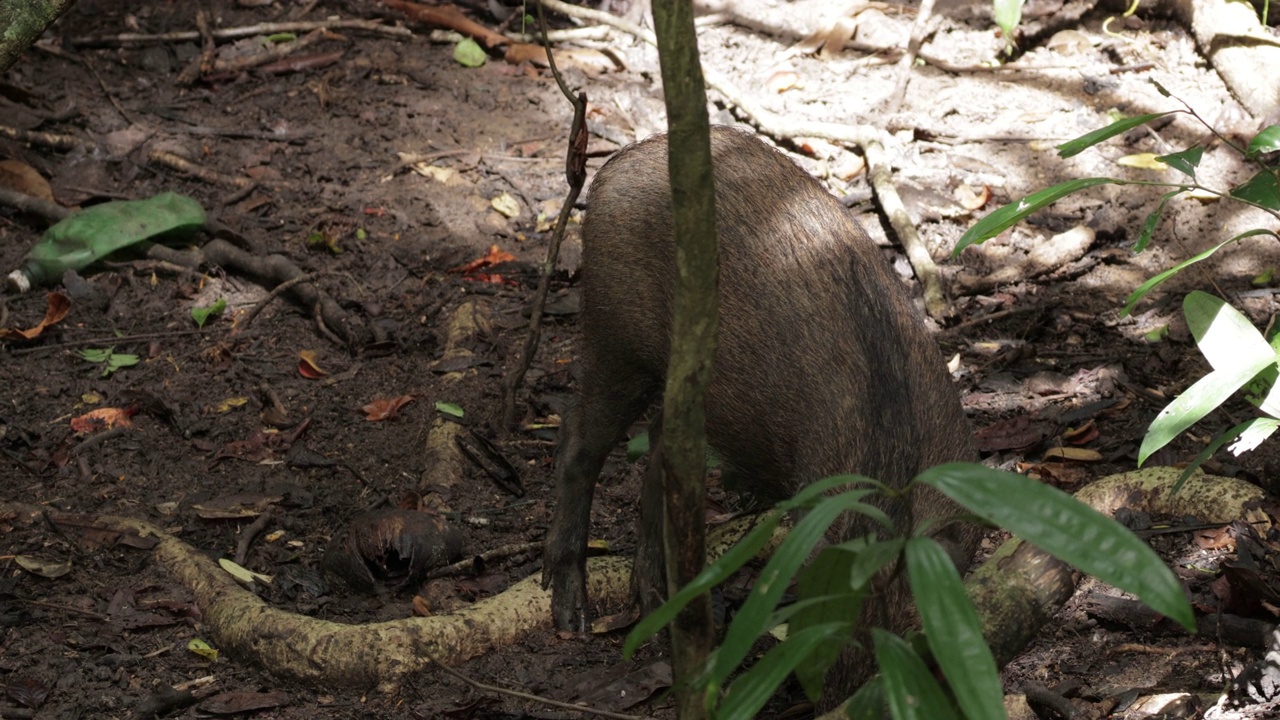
(382, 166)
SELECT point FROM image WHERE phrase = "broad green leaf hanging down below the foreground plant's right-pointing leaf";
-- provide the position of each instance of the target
(954, 631)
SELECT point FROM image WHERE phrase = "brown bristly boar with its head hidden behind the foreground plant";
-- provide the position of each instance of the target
(824, 364)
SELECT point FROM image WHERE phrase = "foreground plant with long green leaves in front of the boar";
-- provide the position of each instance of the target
(835, 585)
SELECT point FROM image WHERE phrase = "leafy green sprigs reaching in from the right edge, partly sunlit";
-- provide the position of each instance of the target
(1240, 356)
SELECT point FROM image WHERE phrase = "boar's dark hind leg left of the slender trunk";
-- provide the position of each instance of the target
(609, 403)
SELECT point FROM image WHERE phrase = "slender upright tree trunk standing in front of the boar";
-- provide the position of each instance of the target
(683, 448)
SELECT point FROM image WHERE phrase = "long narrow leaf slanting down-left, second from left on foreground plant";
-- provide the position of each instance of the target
(753, 618)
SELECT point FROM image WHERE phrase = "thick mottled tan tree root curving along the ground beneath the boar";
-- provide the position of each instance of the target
(1017, 591)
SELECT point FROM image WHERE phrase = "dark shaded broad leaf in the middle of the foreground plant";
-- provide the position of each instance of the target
(828, 577)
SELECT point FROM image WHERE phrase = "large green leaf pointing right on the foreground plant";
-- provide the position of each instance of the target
(1067, 530)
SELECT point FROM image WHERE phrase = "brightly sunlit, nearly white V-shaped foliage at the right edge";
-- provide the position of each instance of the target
(1236, 350)
